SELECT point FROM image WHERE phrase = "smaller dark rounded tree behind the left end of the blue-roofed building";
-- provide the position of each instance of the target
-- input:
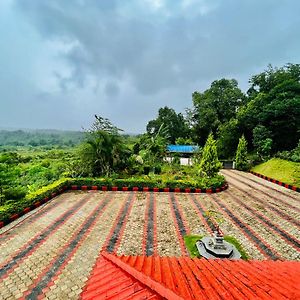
(174, 124)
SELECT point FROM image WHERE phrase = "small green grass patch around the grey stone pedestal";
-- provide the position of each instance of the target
(190, 243)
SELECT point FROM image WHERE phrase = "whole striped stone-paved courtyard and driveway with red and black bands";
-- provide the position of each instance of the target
(49, 253)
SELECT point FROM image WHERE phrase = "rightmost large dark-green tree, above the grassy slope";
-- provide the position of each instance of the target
(274, 102)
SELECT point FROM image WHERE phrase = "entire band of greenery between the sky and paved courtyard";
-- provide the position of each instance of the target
(261, 123)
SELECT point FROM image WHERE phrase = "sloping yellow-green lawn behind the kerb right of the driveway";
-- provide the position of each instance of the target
(282, 170)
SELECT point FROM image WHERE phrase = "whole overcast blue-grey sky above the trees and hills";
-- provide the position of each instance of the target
(62, 61)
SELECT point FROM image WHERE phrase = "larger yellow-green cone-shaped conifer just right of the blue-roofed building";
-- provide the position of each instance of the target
(210, 164)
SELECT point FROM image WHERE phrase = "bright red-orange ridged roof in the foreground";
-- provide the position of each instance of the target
(154, 277)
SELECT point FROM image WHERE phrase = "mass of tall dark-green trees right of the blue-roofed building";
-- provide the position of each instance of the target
(272, 101)
